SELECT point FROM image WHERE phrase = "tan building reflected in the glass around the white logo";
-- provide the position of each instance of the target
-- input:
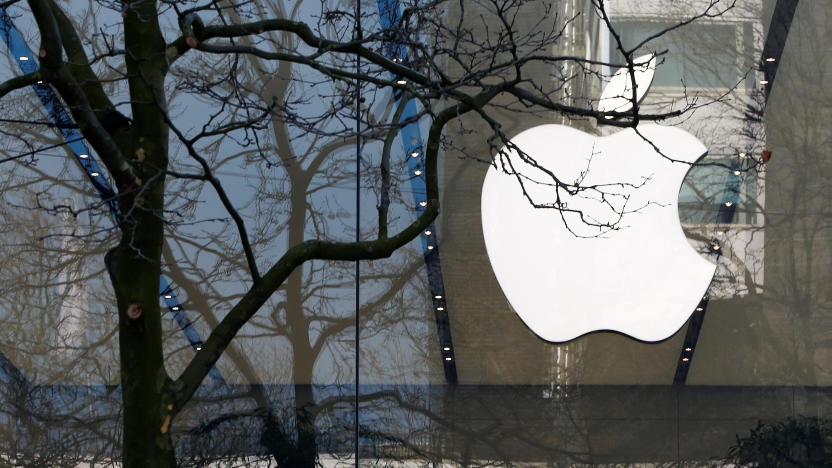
(747, 354)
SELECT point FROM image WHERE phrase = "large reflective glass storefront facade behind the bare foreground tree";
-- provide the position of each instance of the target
(440, 370)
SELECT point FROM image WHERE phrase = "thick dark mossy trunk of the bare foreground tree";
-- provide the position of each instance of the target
(149, 406)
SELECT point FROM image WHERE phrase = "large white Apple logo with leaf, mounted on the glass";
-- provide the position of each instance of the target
(603, 250)
